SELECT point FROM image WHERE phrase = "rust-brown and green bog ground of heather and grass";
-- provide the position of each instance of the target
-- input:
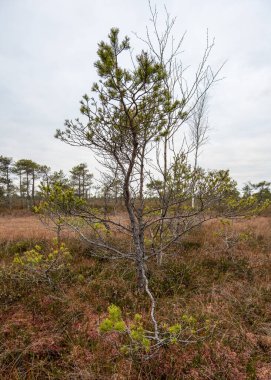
(220, 273)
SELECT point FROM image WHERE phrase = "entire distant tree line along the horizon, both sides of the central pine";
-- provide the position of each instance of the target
(20, 183)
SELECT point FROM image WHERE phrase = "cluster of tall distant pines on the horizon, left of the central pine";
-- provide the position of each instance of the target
(20, 181)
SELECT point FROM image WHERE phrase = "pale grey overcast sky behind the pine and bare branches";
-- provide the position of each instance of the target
(47, 50)
